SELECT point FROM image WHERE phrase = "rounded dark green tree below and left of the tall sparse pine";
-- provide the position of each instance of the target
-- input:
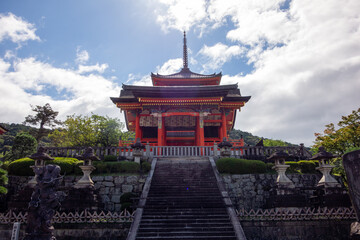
(24, 145)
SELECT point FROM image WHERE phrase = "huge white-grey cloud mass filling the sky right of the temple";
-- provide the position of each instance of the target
(306, 62)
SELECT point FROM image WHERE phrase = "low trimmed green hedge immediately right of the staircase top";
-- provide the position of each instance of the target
(240, 166)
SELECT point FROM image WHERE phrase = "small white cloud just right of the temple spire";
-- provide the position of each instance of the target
(219, 54)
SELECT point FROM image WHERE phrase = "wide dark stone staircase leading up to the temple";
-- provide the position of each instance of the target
(184, 202)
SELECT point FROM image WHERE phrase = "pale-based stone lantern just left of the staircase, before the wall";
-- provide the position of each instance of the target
(88, 157)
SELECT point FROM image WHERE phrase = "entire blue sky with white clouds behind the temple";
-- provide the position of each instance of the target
(299, 60)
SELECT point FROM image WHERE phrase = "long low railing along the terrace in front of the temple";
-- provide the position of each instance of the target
(248, 152)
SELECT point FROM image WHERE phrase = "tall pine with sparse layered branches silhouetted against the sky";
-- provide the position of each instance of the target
(44, 116)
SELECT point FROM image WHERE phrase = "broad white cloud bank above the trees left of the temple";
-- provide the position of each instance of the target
(27, 81)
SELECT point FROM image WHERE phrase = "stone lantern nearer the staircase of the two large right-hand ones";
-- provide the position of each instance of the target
(284, 184)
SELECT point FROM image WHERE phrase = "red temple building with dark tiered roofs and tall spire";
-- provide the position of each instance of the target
(181, 109)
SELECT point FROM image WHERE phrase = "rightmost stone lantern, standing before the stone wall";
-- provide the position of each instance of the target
(325, 168)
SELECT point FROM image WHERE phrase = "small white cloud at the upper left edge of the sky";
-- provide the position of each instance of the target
(16, 29)
